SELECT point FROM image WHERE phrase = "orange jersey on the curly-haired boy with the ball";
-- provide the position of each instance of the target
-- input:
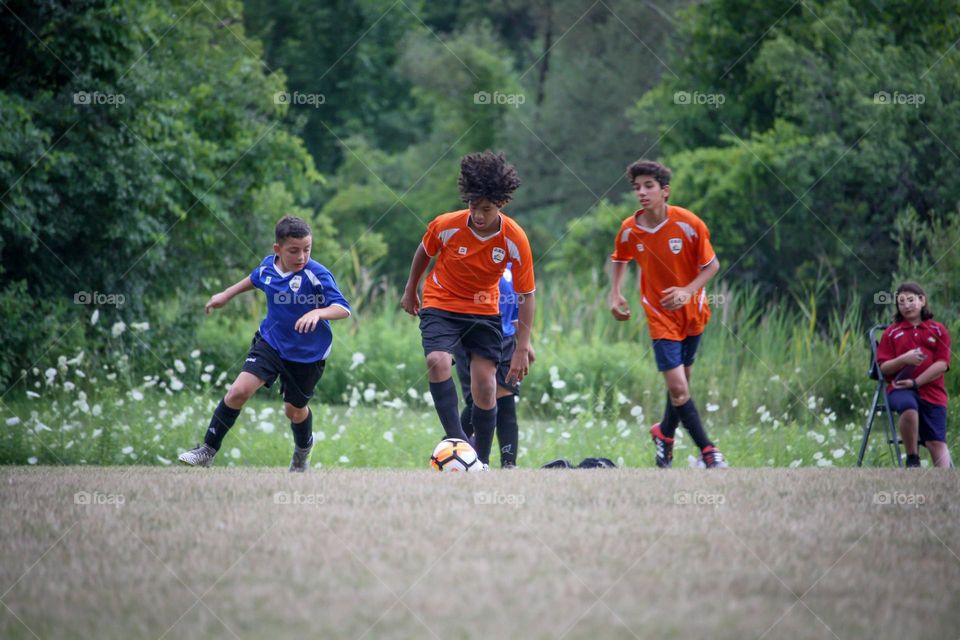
(466, 275)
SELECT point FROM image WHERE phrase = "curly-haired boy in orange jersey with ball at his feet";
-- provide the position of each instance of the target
(460, 306)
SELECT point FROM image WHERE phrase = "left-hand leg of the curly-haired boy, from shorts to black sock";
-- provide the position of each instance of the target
(441, 332)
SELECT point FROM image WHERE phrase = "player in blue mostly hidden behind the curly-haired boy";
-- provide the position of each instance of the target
(508, 432)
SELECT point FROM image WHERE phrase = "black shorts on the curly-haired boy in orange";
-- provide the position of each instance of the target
(445, 331)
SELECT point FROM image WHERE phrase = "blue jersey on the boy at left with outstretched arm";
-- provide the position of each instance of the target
(291, 295)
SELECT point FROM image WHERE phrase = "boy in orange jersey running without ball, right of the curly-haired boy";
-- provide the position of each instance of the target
(672, 248)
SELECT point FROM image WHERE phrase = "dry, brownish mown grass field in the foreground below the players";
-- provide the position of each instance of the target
(254, 553)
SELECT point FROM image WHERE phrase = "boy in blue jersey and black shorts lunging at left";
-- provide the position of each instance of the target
(293, 342)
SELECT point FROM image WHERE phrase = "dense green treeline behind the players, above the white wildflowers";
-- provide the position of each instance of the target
(147, 147)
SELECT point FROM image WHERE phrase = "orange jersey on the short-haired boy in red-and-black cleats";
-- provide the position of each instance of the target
(669, 255)
